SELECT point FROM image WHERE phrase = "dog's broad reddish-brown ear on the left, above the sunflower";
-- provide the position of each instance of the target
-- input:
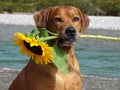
(41, 18)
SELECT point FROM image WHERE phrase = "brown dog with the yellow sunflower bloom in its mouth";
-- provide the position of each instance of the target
(41, 73)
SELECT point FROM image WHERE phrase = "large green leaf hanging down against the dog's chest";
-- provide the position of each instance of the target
(60, 58)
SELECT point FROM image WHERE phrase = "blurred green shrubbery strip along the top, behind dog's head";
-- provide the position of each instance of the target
(90, 7)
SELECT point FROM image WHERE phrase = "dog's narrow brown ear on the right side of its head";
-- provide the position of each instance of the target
(85, 22)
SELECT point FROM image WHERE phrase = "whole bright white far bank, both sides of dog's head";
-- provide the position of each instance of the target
(96, 22)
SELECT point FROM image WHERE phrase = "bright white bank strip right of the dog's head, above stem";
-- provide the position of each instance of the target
(105, 22)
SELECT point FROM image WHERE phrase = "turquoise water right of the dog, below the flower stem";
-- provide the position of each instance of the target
(99, 58)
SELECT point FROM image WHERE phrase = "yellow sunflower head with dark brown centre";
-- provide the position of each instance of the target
(40, 52)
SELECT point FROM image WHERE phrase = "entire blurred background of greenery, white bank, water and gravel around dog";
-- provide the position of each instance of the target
(99, 59)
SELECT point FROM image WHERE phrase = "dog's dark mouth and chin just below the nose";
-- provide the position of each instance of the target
(67, 41)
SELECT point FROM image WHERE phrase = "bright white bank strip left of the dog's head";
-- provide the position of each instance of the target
(16, 19)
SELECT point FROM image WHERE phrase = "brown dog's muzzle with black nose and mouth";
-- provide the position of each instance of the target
(68, 37)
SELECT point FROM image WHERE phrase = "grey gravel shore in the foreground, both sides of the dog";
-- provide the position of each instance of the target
(89, 82)
